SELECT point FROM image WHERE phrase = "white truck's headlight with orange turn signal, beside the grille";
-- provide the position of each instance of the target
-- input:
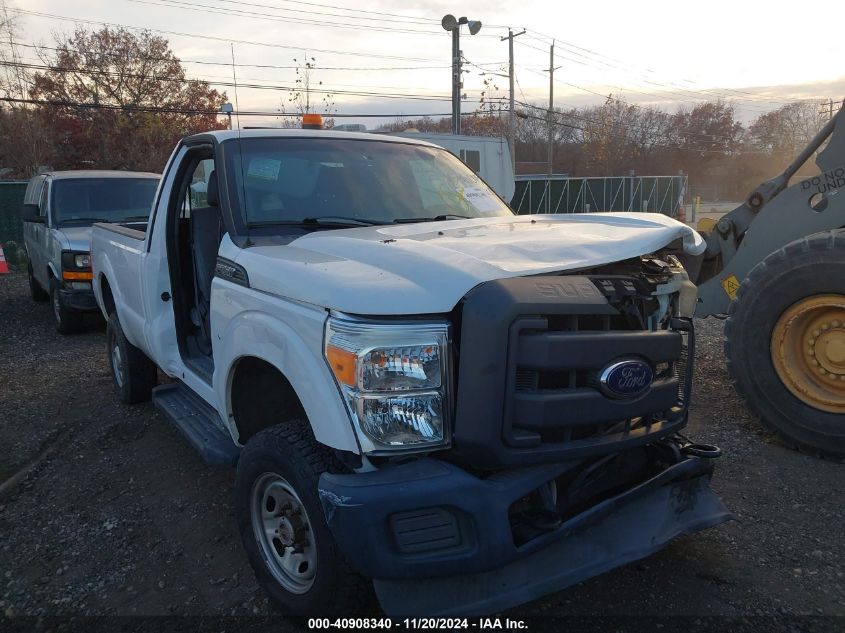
(394, 379)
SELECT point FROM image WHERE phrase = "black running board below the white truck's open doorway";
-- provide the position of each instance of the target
(199, 423)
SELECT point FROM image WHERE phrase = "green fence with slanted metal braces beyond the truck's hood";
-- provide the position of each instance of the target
(562, 194)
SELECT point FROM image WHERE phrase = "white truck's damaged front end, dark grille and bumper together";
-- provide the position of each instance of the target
(566, 457)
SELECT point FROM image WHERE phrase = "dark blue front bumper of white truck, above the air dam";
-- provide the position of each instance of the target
(358, 509)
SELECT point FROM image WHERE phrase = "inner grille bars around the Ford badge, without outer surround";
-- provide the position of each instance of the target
(553, 396)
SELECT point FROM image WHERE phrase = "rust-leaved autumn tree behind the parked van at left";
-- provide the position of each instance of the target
(118, 100)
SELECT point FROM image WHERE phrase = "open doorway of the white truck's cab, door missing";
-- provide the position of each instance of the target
(195, 228)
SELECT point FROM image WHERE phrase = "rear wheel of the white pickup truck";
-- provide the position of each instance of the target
(134, 374)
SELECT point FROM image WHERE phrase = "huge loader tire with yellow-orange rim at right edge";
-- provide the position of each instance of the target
(785, 343)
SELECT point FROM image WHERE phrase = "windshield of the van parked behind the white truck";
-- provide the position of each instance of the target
(87, 200)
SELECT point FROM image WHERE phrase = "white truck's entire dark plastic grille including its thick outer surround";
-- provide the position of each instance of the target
(531, 353)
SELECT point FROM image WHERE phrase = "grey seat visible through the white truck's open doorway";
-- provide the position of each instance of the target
(206, 232)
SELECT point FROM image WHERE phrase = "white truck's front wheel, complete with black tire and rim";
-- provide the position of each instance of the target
(282, 525)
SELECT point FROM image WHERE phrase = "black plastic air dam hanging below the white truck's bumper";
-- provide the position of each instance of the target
(633, 530)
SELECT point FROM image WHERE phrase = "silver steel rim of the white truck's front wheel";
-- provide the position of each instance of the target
(283, 532)
